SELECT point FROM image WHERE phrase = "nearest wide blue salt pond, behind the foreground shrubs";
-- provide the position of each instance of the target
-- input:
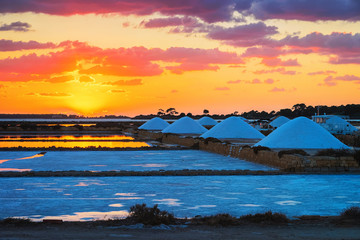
(79, 198)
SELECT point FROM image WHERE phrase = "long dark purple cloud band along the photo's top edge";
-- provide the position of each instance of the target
(208, 10)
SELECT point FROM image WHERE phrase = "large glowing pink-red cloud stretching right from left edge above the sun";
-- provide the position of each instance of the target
(134, 61)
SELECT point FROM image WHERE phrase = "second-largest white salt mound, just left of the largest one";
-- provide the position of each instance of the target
(233, 128)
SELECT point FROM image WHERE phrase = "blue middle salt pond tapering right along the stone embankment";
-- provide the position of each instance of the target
(122, 160)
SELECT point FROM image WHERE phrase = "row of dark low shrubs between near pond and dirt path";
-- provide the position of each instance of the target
(153, 216)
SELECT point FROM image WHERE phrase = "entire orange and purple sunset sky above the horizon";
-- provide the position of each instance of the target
(130, 57)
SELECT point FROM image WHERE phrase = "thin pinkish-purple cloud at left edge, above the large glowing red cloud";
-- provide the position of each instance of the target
(9, 45)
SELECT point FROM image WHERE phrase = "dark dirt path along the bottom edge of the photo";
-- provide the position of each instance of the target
(252, 231)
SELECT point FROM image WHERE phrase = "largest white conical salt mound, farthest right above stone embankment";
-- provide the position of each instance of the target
(301, 133)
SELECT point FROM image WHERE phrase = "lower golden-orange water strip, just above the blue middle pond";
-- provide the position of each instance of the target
(72, 144)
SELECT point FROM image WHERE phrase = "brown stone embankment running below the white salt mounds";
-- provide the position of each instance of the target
(291, 162)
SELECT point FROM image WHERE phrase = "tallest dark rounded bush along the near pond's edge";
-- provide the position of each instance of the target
(150, 215)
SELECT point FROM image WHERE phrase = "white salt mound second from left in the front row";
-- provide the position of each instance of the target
(185, 125)
